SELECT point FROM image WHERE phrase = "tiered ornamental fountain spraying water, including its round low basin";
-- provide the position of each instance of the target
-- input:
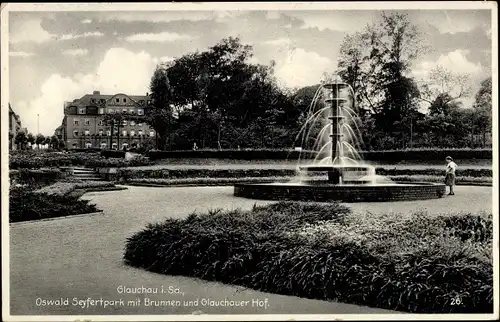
(347, 178)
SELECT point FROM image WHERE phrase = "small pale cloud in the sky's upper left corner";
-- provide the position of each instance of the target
(28, 30)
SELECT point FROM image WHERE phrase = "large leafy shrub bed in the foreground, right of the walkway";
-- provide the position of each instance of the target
(416, 264)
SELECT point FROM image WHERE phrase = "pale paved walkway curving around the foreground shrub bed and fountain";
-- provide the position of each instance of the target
(81, 257)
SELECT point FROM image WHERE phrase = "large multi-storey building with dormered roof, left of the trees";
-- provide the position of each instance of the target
(85, 122)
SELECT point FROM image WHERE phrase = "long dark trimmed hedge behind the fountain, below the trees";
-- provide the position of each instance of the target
(269, 154)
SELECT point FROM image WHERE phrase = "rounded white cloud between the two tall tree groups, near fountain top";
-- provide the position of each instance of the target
(302, 68)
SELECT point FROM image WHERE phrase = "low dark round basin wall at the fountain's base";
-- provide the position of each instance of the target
(324, 192)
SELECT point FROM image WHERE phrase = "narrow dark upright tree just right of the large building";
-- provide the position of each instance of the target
(160, 113)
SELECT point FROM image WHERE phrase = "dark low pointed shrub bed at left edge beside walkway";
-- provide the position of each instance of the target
(27, 205)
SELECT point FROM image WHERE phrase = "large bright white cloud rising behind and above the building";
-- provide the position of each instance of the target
(109, 77)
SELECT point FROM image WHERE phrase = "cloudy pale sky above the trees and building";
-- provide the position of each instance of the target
(59, 56)
